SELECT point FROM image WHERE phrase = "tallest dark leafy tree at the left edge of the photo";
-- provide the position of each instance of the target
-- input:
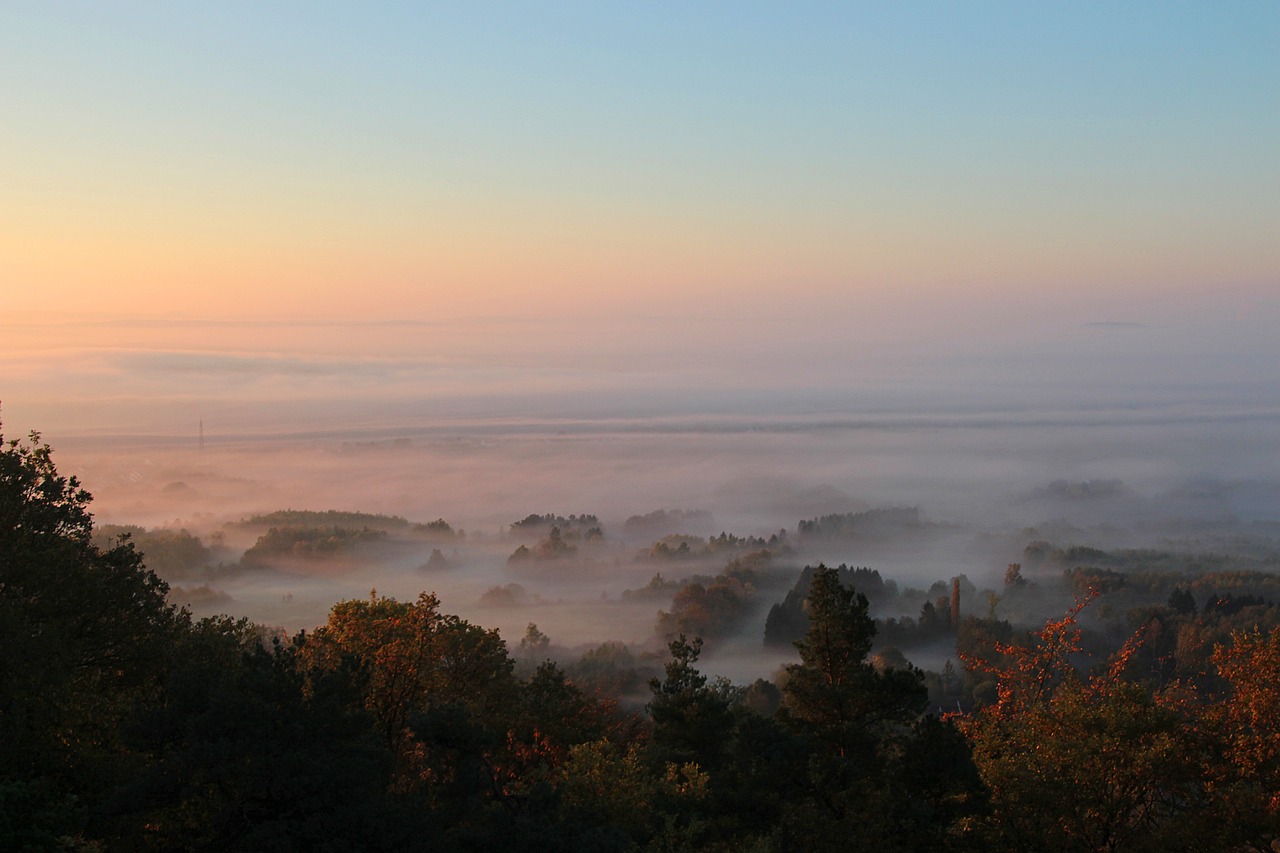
(84, 633)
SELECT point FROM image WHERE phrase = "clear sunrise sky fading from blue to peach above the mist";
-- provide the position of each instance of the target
(522, 207)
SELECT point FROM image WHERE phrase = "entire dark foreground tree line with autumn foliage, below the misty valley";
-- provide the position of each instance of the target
(127, 726)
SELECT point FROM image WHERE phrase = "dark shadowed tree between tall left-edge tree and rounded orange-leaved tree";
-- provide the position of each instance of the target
(243, 758)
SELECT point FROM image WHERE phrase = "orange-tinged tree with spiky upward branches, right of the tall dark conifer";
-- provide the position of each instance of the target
(1080, 763)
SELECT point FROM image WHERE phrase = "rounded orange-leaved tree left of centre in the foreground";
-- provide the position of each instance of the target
(479, 749)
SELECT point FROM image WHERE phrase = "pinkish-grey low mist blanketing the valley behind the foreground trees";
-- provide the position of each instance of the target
(980, 487)
